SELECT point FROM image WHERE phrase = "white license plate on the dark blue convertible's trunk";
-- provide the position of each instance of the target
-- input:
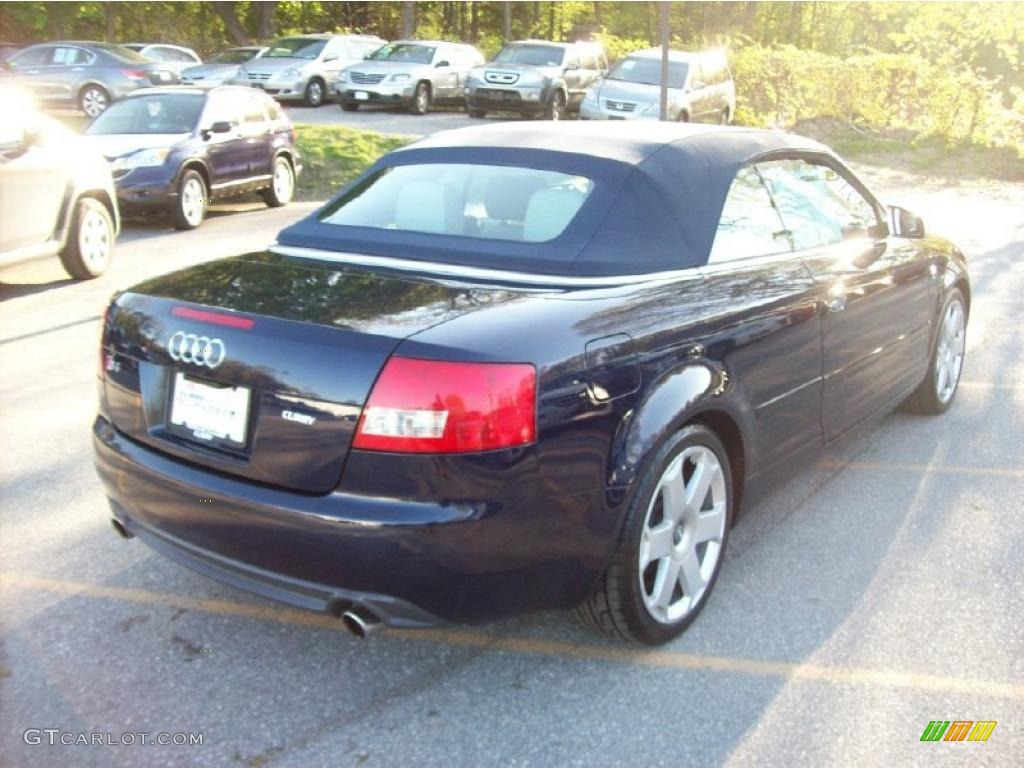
(210, 413)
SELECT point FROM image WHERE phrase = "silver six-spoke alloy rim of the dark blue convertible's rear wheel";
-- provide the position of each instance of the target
(682, 536)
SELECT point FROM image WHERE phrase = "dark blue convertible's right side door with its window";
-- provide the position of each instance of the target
(877, 293)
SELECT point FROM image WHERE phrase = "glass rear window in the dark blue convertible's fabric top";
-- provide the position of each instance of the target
(488, 202)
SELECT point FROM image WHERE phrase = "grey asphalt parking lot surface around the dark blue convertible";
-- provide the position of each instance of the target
(874, 592)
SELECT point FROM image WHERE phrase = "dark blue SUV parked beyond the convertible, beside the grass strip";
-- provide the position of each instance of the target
(176, 150)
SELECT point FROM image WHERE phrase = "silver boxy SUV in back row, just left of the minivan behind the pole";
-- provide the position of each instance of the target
(535, 77)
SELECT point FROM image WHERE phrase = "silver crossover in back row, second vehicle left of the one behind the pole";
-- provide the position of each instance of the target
(412, 73)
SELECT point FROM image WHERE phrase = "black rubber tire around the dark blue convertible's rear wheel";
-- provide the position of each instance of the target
(616, 608)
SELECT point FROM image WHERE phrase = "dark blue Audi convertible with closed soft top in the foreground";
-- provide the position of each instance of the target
(518, 368)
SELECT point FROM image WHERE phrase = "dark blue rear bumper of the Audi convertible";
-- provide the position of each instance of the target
(414, 564)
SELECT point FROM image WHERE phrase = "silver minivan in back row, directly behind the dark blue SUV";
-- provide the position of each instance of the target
(306, 68)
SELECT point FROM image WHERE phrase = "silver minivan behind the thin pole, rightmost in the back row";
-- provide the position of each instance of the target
(701, 90)
